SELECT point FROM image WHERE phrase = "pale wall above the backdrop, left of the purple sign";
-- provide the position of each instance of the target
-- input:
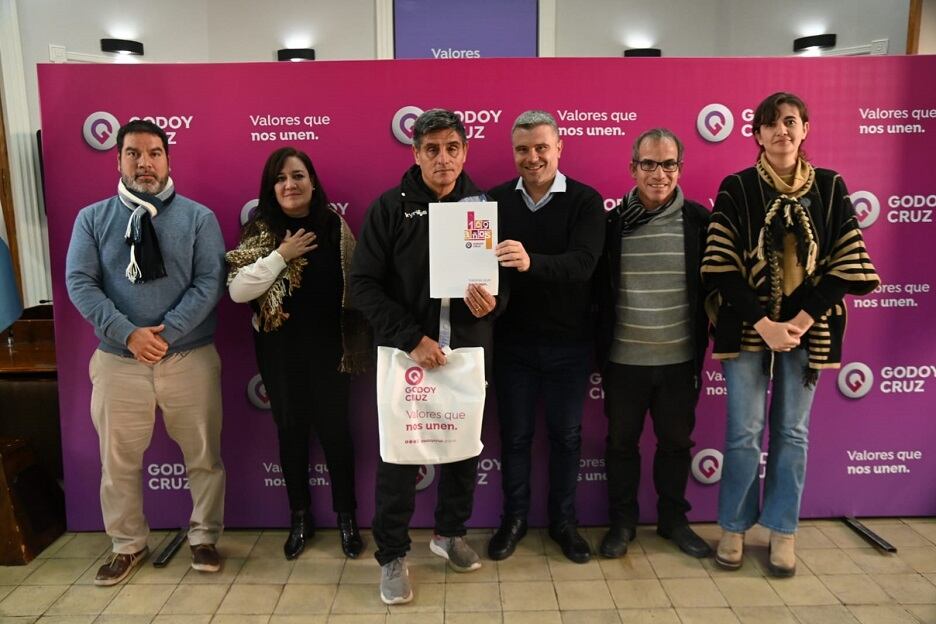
(195, 30)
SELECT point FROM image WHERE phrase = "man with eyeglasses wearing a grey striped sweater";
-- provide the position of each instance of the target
(652, 340)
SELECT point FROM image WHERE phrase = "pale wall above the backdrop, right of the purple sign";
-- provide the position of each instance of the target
(723, 27)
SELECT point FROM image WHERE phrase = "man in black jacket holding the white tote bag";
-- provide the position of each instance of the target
(390, 285)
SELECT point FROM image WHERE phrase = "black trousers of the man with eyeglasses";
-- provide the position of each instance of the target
(670, 393)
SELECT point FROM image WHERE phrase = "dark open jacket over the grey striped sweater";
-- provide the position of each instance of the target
(608, 280)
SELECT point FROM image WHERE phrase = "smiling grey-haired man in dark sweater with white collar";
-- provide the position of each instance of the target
(551, 229)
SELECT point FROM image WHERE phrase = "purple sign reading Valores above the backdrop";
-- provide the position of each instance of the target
(456, 29)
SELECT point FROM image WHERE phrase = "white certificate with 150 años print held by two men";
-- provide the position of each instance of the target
(462, 238)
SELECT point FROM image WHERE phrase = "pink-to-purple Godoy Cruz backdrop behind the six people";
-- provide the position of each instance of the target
(873, 435)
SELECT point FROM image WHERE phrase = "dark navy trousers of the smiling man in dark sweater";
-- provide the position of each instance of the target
(557, 375)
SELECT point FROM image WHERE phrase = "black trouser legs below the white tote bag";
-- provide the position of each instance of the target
(396, 500)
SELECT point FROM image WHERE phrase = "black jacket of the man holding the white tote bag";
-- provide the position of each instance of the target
(390, 271)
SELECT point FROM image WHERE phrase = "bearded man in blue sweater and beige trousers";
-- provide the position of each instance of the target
(146, 269)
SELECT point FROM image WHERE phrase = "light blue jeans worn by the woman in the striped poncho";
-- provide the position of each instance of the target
(739, 494)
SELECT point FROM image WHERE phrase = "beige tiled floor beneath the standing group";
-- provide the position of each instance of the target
(840, 578)
